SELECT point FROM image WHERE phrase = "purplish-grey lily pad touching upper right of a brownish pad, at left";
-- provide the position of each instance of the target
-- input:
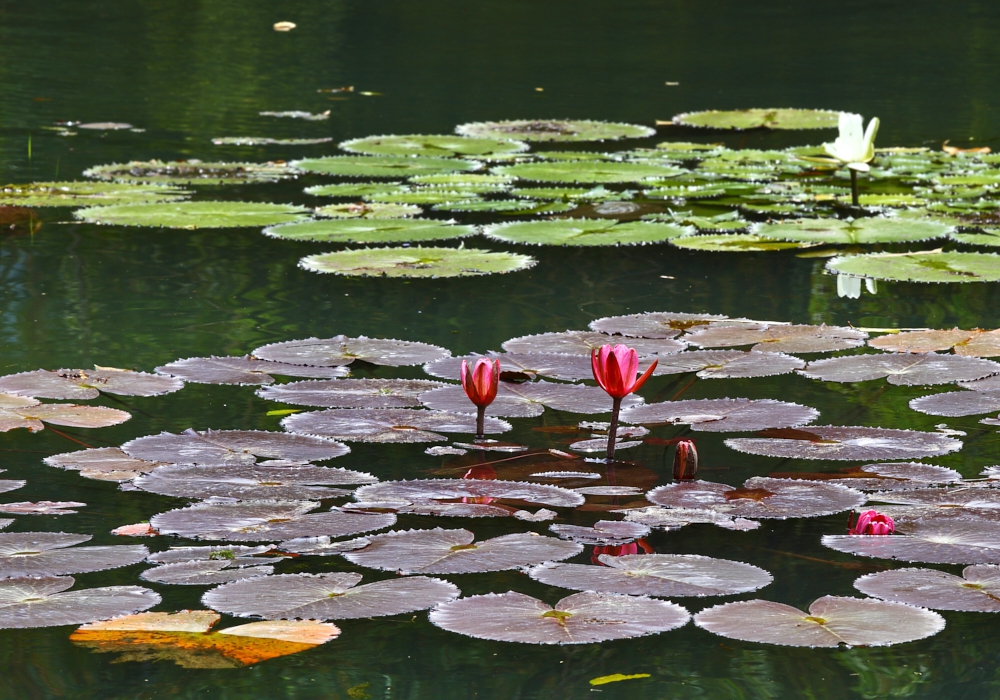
(217, 447)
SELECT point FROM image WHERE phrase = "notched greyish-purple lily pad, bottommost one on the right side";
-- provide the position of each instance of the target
(831, 622)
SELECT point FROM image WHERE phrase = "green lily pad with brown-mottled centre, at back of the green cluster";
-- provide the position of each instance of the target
(554, 130)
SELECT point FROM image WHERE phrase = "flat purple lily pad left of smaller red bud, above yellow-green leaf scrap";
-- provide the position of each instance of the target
(352, 393)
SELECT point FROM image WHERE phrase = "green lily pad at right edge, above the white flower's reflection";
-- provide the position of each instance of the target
(921, 267)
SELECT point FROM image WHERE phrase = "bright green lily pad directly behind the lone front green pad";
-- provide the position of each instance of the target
(369, 231)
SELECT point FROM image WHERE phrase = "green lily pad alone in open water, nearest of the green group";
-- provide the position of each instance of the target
(417, 262)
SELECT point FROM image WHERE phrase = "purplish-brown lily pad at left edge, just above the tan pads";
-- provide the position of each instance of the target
(87, 384)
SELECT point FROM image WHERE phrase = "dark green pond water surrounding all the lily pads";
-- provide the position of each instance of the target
(76, 294)
